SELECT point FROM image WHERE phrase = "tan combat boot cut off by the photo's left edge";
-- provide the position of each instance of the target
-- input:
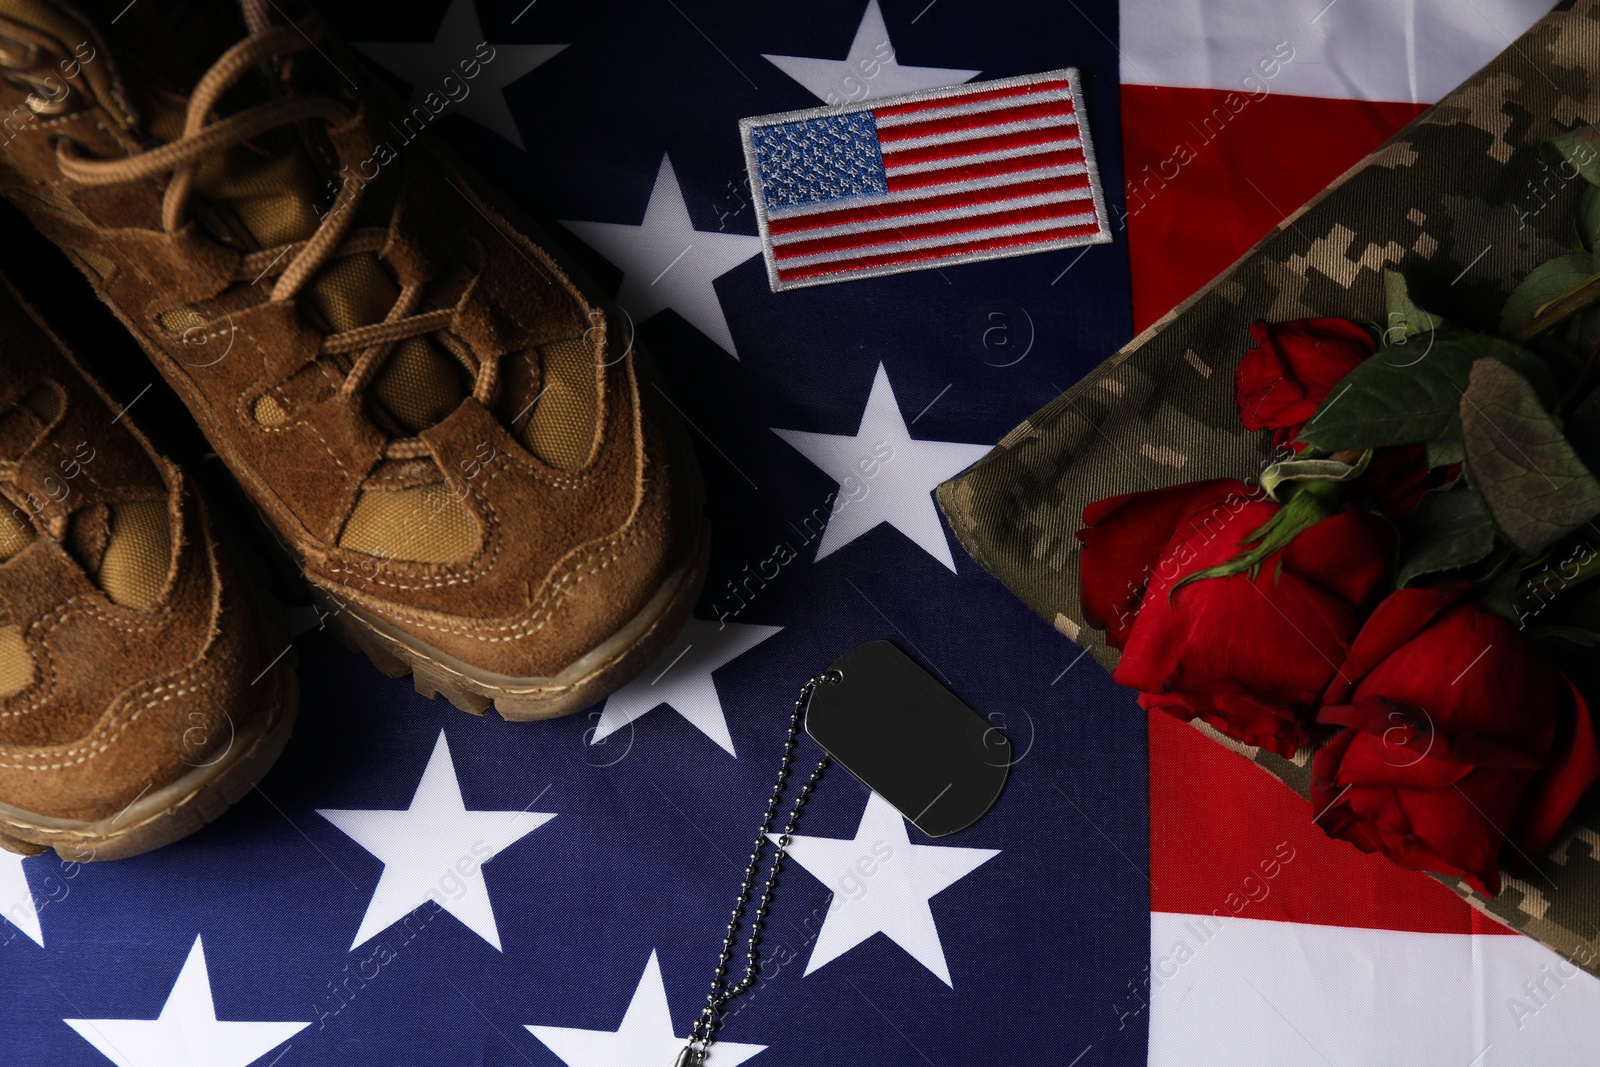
(142, 687)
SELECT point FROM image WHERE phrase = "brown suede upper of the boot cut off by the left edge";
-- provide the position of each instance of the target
(122, 701)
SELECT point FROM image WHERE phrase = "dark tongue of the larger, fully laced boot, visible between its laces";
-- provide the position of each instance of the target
(266, 194)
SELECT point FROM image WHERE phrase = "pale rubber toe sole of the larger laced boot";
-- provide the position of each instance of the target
(590, 681)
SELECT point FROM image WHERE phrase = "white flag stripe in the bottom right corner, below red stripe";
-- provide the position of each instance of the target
(1268, 994)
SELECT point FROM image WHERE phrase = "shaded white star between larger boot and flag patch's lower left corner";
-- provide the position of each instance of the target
(668, 263)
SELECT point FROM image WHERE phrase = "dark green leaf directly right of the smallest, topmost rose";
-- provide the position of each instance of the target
(1407, 394)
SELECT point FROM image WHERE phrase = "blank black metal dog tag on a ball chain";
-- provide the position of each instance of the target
(910, 740)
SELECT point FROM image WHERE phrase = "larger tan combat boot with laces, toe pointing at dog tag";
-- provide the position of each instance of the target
(470, 463)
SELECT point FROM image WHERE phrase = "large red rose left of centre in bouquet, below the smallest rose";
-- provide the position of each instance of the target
(1249, 655)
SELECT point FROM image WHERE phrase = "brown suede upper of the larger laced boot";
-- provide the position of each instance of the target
(564, 559)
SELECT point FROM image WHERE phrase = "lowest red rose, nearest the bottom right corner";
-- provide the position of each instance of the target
(1462, 735)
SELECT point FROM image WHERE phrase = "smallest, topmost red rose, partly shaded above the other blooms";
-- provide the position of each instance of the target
(1279, 385)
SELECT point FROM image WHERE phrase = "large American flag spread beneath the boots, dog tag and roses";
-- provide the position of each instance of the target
(588, 941)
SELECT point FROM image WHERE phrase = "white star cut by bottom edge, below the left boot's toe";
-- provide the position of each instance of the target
(188, 1033)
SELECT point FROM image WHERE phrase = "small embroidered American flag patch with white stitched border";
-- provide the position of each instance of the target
(927, 180)
